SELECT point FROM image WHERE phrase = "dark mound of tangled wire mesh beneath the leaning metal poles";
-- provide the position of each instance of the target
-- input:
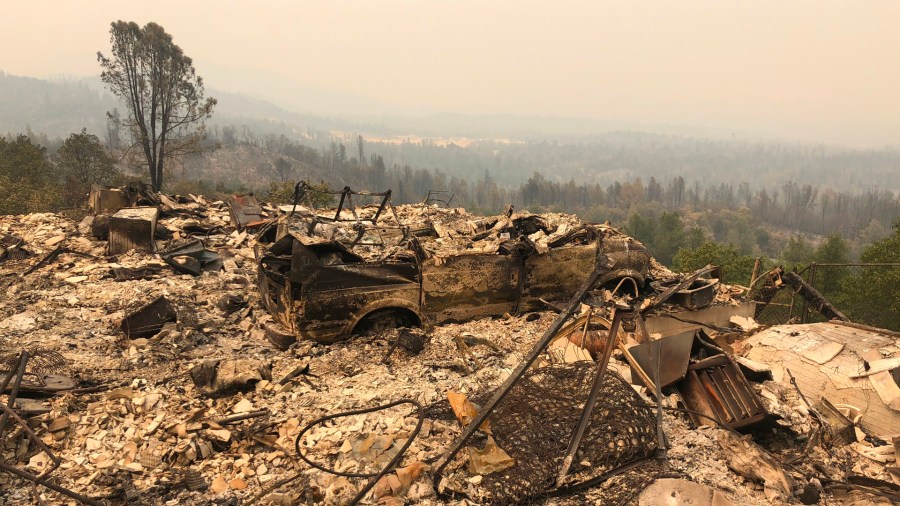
(535, 422)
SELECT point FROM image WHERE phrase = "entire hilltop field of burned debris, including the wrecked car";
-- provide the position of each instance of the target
(428, 356)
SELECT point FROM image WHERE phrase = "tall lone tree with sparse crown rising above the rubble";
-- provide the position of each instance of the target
(162, 92)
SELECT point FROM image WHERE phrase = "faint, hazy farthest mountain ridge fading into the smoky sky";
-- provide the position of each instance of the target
(59, 107)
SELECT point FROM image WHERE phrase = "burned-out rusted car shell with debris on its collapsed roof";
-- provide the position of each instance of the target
(326, 277)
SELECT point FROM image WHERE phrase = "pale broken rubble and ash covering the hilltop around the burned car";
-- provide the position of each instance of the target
(194, 405)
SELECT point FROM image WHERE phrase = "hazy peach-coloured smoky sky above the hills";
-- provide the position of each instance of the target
(823, 71)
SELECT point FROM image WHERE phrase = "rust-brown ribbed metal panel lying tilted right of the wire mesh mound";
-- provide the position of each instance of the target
(715, 387)
